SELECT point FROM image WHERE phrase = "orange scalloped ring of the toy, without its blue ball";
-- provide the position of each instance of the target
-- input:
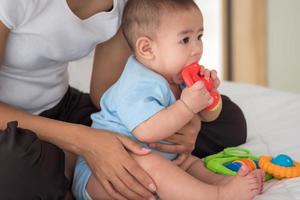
(279, 172)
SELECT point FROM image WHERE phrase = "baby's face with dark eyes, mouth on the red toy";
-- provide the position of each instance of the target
(178, 42)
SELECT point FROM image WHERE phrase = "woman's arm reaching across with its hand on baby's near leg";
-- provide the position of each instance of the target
(97, 147)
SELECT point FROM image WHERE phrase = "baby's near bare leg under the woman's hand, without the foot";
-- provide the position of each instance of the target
(172, 182)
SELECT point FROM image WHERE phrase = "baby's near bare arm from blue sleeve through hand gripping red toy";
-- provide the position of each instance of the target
(171, 119)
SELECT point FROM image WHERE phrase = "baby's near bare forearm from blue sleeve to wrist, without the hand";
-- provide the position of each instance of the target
(164, 123)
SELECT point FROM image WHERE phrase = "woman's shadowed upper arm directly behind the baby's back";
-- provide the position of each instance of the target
(109, 61)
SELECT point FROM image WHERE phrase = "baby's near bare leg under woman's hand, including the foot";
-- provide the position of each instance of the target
(173, 183)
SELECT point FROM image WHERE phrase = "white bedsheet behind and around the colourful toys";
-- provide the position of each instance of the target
(273, 122)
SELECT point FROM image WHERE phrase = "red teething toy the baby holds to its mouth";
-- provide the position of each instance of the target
(192, 74)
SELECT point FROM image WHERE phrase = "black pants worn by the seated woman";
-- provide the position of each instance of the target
(33, 169)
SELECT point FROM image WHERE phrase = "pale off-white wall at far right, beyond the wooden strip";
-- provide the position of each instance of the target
(284, 45)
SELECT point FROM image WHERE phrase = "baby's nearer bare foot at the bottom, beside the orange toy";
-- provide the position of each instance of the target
(244, 186)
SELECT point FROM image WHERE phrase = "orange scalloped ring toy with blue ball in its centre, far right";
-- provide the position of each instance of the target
(282, 166)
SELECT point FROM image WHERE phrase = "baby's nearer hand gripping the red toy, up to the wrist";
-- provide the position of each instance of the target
(196, 97)
